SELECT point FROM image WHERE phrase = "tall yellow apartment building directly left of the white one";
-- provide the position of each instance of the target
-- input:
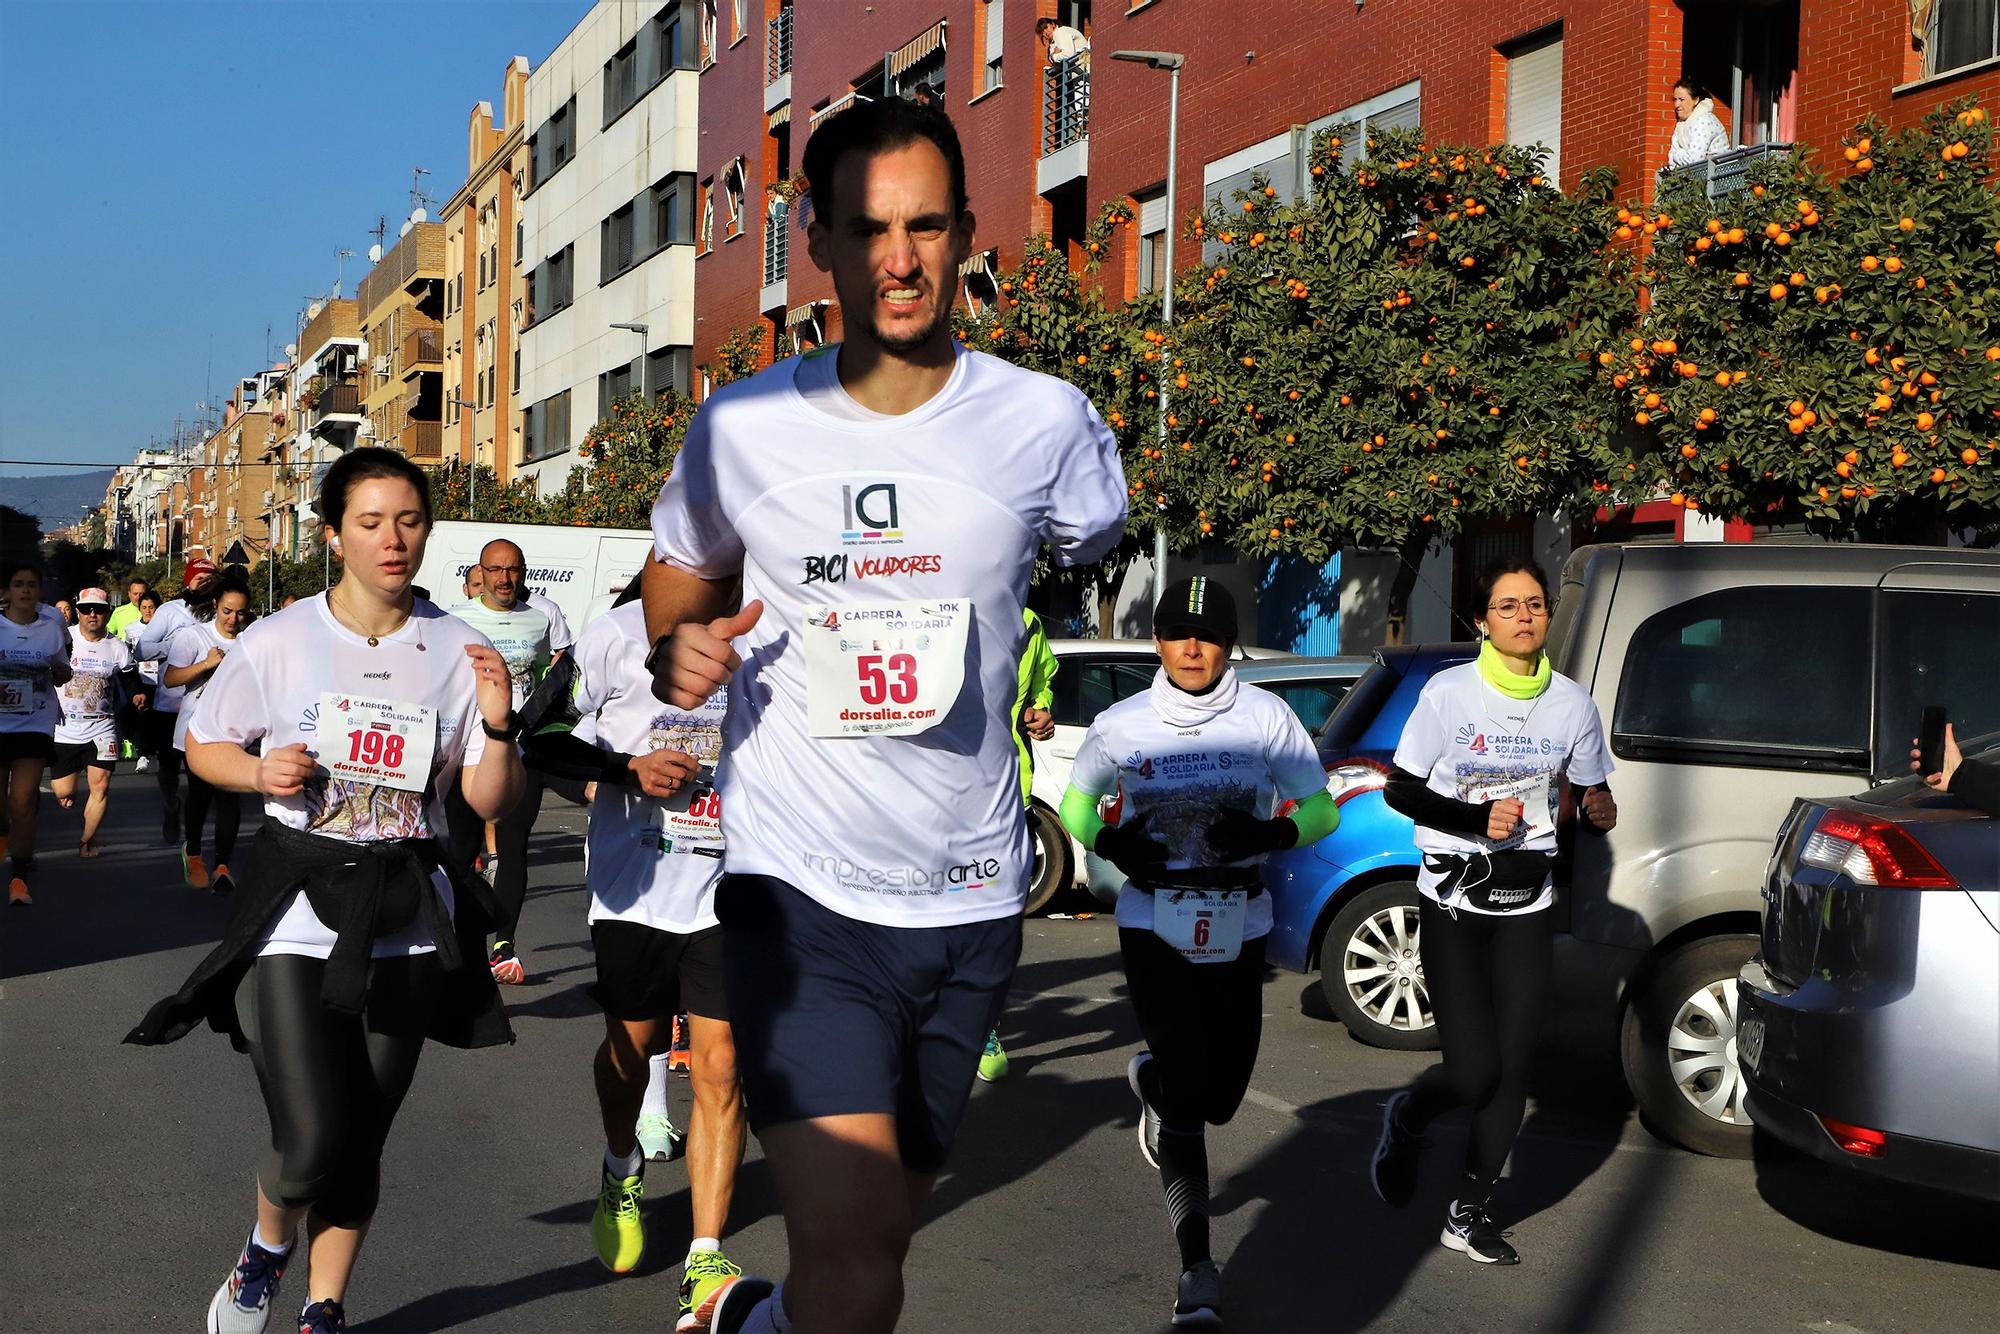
(485, 287)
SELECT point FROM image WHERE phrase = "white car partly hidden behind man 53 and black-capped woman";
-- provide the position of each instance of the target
(1091, 675)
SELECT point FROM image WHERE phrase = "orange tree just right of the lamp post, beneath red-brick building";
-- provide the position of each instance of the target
(1403, 349)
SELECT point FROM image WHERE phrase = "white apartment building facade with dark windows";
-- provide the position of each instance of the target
(607, 225)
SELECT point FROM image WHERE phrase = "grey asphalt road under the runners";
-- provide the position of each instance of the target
(127, 1179)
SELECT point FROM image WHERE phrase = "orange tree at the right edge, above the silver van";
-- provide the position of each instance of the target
(1827, 345)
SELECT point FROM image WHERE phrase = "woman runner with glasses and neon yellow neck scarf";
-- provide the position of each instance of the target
(1481, 771)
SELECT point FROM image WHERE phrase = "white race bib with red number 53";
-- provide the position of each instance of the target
(885, 669)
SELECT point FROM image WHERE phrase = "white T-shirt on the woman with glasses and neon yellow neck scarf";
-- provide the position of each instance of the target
(1477, 745)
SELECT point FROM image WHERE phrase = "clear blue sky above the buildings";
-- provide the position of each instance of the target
(175, 175)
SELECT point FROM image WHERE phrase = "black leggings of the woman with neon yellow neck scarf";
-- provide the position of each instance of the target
(1489, 985)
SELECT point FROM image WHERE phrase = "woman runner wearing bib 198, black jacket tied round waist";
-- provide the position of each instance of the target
(349, 943)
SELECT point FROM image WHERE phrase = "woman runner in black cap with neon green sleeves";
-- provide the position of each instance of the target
(1195, 775)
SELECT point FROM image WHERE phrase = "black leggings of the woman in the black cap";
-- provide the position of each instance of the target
(1203, 1025)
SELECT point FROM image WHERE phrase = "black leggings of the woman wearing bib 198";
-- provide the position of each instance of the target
(333, 1083)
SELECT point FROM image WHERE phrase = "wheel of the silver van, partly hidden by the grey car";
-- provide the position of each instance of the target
(1679, 1049)
